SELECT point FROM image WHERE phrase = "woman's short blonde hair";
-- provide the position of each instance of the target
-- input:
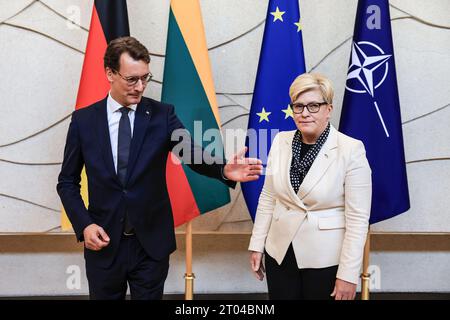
(311, 81)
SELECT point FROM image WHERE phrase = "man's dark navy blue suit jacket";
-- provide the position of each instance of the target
(144, 194)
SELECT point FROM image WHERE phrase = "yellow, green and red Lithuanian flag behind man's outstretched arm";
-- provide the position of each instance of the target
(189, 86)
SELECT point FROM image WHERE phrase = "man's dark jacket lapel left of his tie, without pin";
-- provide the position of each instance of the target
(104, 138)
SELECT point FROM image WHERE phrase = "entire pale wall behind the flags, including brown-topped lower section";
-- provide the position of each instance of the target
(41, 56)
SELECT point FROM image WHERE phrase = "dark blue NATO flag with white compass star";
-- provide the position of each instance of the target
(371, 108)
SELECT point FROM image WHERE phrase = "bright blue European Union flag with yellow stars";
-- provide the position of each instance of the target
(280, 62)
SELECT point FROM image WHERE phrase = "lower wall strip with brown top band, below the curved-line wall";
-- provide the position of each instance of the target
(38, 265)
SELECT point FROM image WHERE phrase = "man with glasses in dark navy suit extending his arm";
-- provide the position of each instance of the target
(123, 142)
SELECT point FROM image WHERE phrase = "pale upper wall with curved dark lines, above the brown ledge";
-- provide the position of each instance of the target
(42, 55)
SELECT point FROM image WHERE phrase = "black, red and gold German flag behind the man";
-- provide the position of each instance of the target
(109, 21)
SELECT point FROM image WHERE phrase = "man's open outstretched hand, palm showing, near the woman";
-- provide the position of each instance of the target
(242, 169)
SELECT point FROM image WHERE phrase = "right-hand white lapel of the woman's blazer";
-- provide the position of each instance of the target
(320, 165)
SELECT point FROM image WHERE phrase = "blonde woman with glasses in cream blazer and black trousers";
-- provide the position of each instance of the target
(313, 212)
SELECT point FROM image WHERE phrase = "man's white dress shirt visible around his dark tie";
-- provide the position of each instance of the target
(114, 116)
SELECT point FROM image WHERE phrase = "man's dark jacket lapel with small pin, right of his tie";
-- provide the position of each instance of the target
(141, 122)
